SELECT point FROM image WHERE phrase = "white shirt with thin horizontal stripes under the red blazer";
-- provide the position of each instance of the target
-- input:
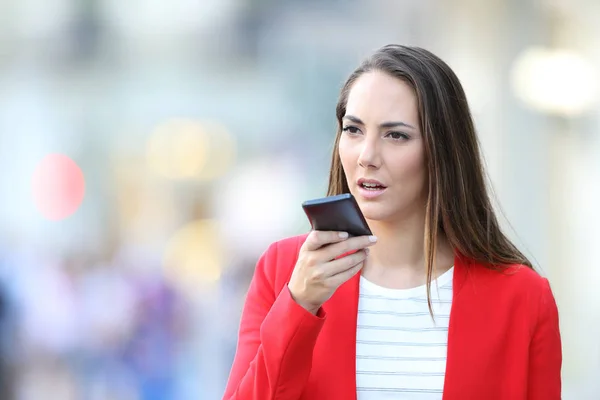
(400, 350)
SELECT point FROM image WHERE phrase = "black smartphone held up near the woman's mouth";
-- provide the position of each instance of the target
(336, 213)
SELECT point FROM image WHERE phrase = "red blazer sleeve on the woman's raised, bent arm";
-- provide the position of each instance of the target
(276, 337)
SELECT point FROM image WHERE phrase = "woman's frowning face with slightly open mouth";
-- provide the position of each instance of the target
(381, 148)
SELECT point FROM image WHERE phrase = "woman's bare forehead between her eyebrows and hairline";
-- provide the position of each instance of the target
(377, 97)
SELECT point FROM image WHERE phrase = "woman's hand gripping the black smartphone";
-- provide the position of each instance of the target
(319, 272)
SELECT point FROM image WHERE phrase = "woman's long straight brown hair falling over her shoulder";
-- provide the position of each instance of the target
(458, 204)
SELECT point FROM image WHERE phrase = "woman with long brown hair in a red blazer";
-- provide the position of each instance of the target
(439, 304)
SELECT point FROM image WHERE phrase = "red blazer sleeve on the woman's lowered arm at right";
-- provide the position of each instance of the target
(545, 351)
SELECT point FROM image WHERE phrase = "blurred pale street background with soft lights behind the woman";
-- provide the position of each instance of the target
(151, 150)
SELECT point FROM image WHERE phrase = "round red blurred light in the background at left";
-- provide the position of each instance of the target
(58, 187)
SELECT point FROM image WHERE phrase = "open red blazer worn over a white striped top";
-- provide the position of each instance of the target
(503, 337)
